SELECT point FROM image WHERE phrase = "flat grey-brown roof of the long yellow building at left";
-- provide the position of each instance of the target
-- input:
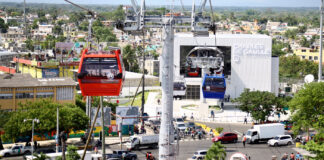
(26, 80)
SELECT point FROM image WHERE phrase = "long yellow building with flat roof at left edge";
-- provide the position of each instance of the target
(21, 88)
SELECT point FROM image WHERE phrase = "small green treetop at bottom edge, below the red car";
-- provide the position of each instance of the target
(216, 152)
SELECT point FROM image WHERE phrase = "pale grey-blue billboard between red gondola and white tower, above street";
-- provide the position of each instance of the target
(127, 112)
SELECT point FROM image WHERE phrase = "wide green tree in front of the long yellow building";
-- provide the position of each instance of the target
(71, 117)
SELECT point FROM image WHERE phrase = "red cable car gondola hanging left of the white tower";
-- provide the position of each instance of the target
(101, 73)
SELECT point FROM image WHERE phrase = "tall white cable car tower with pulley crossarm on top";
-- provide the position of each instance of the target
(136, 23)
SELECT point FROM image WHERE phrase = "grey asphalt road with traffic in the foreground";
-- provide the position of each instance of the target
(255, 151)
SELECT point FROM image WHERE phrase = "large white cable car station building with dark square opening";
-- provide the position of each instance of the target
(248, 63)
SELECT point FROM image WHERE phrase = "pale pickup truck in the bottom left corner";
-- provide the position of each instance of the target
(16, 150)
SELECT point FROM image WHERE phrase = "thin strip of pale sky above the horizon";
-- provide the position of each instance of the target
(234, 3)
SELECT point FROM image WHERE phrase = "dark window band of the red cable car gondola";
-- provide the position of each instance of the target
(100, 67)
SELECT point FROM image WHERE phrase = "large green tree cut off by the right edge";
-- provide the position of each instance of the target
(307, 108)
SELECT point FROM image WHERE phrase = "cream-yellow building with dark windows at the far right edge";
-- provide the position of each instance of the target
(308, 53)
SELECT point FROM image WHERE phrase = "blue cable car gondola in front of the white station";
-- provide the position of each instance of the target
(214, 87)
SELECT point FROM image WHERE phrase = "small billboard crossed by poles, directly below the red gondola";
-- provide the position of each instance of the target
(107, 117)
